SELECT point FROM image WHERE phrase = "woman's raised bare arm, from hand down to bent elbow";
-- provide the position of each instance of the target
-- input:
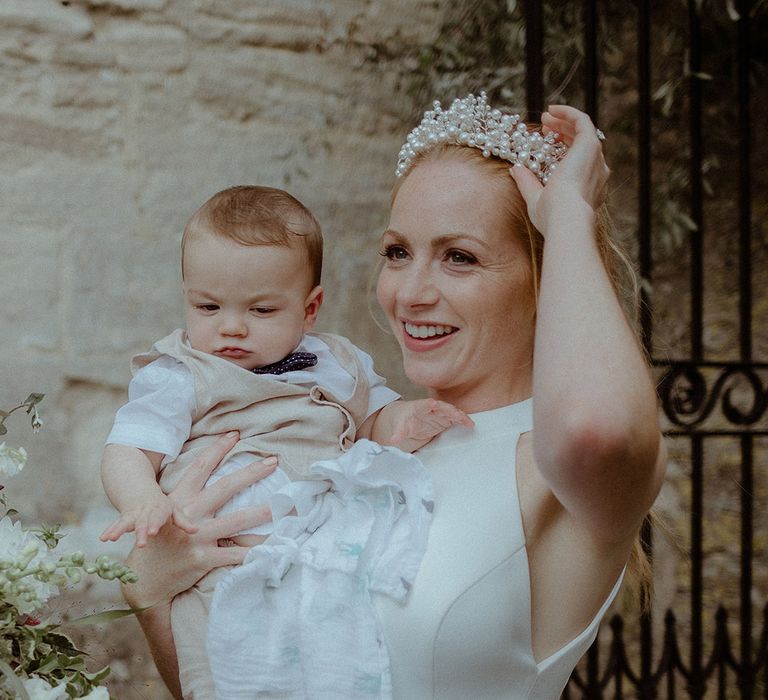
(597, 440)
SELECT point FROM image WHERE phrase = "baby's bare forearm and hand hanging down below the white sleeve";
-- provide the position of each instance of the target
(129, 476)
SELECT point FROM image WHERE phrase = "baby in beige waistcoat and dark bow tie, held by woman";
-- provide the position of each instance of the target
(251, 259)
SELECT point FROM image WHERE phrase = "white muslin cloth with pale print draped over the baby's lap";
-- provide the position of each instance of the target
(296, 620)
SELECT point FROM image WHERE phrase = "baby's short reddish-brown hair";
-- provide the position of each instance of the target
(256, 215)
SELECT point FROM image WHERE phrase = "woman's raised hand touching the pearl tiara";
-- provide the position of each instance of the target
(581, 177)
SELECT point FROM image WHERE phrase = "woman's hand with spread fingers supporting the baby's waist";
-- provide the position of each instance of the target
(174, 560)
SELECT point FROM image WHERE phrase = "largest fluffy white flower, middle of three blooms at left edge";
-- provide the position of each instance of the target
(16, 545)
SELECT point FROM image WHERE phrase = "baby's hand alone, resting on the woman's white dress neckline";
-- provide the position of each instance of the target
(420, 421)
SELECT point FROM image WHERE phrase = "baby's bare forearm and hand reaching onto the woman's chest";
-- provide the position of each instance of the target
(410, 425)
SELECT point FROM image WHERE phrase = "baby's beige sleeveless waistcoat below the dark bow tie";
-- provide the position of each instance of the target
(297, 424)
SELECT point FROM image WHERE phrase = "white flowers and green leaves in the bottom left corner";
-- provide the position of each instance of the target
(38, 661)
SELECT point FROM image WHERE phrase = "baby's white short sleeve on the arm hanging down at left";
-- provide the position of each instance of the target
(158, 415)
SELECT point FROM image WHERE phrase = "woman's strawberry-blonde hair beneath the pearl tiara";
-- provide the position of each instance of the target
(616, 262)
